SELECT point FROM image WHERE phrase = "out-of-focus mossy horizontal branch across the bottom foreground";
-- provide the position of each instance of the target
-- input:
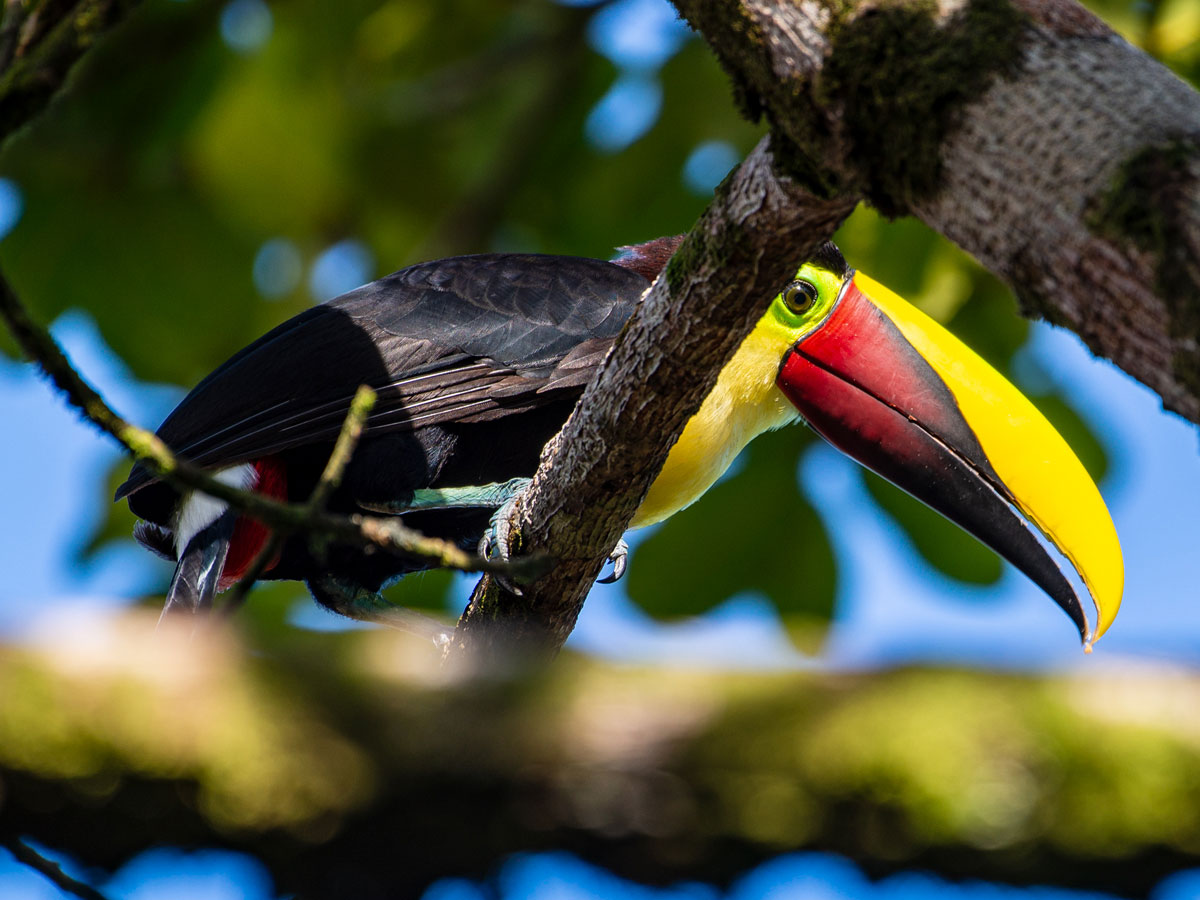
(358, 752)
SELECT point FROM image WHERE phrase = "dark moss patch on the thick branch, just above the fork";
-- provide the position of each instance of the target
(903, 79)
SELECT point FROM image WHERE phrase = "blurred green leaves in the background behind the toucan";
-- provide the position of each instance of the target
(434, 128)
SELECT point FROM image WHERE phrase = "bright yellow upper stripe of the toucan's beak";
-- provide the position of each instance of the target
(1043, 476)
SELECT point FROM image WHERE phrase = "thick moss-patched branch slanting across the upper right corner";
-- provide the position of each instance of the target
(1064, 159)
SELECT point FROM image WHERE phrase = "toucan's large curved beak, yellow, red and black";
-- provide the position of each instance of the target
(898, 393)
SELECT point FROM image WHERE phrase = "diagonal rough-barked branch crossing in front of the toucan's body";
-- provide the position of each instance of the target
(596, 472)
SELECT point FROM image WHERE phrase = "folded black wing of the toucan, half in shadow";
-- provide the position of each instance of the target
(449, 341)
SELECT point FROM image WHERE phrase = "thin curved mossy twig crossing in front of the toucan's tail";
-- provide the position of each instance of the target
(386, 533)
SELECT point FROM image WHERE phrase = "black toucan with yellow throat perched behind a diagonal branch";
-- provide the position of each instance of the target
(478, 361)
